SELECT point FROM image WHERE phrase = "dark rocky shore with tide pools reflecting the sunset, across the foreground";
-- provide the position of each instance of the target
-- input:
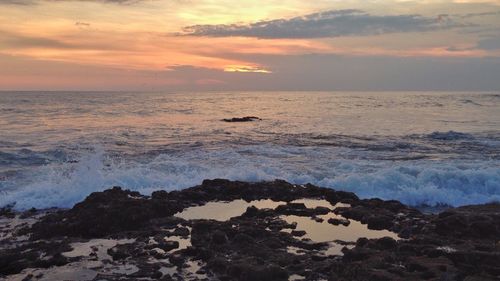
(225, 230)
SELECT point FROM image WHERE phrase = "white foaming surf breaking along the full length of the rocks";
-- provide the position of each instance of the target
(417, 182)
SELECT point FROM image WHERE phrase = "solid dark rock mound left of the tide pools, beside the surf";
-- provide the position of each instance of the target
(105, 213)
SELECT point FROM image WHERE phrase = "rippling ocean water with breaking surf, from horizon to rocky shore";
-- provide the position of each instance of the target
(419, 148)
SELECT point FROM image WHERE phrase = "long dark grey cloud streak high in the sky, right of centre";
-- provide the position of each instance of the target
(334, 23)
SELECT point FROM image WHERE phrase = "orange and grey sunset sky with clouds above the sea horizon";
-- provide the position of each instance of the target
(250, 45)
